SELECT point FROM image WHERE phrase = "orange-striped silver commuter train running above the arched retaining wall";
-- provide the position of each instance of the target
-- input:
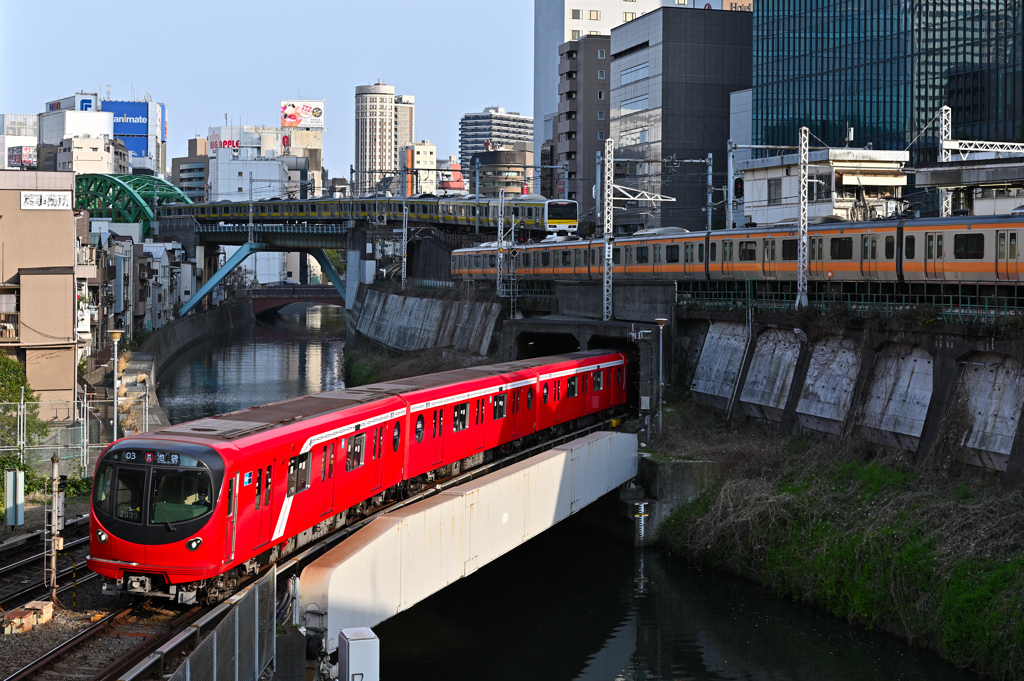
(960, 249)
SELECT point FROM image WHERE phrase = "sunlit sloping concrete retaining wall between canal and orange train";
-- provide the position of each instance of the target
(408, 323)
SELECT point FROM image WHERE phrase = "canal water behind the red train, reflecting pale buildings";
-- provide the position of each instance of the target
(296, 353)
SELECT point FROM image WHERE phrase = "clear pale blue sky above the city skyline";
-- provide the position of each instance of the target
(205, 59)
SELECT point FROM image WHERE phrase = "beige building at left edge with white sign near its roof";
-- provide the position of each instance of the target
(38, 318)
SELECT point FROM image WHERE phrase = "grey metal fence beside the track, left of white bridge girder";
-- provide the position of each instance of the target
(243, 645)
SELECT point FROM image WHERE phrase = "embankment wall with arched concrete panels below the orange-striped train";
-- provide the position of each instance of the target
(930, 392)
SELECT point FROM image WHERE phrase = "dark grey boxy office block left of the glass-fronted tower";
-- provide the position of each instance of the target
(671, 81)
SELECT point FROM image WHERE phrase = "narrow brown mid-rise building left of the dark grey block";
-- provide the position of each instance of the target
(584, 120)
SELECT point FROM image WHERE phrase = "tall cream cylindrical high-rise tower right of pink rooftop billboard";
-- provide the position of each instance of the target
(385, 125)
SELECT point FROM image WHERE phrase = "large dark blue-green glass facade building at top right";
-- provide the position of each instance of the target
(885, 69)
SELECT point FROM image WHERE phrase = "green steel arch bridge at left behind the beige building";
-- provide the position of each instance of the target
(126, 198)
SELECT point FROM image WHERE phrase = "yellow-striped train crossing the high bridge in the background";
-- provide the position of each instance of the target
(532, 214)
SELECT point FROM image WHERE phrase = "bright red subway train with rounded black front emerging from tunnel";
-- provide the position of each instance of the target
(186, 512)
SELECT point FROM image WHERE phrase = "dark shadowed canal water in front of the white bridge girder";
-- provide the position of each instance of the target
(572, 606)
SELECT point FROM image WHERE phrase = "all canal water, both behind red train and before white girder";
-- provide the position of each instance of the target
(568, 606)
